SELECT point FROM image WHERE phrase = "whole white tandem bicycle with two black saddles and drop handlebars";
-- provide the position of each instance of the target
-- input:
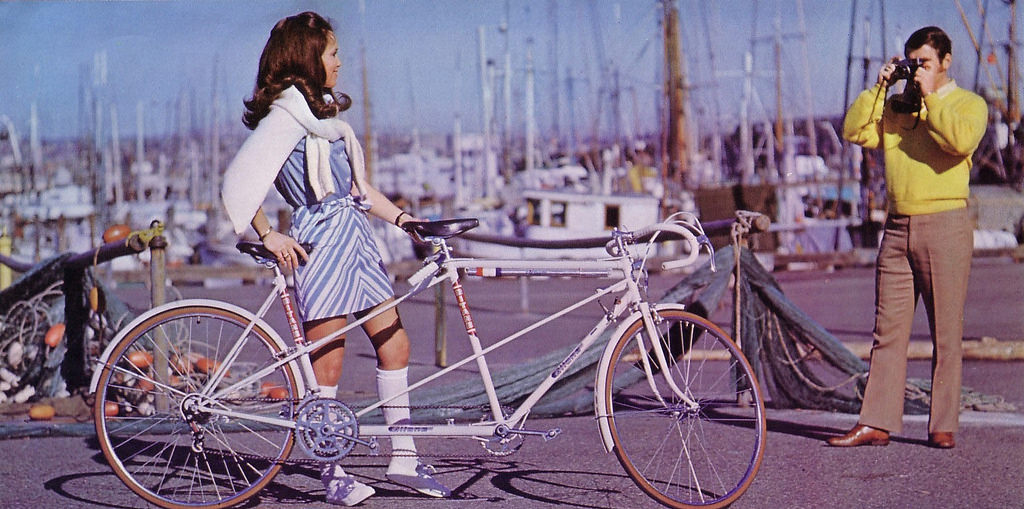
(200, 403)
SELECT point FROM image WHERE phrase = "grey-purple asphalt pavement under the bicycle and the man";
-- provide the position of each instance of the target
(58, 463)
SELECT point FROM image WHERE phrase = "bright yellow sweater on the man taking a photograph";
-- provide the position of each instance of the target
(928, 160)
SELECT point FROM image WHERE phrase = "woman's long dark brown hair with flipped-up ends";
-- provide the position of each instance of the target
(293, 57)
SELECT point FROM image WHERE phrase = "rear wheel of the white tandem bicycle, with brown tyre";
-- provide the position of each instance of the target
(150, 448)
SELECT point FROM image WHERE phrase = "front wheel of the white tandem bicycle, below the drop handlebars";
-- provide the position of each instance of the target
(686, 457)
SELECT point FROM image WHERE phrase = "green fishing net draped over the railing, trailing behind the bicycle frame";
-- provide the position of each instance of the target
(801, 365)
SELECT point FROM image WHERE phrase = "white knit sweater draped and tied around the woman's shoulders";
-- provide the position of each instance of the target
(254, 168)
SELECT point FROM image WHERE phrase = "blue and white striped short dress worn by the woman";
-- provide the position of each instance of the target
(346, 273)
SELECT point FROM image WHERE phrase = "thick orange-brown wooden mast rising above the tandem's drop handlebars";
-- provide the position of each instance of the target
(674, 160)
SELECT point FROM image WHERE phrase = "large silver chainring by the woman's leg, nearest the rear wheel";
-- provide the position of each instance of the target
(325, 429)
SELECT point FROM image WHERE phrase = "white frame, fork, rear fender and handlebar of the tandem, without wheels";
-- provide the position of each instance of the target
(629, 301)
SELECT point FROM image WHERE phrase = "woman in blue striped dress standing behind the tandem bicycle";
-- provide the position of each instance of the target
(316, 162)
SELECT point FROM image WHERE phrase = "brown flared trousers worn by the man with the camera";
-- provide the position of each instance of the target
(927, 257)
